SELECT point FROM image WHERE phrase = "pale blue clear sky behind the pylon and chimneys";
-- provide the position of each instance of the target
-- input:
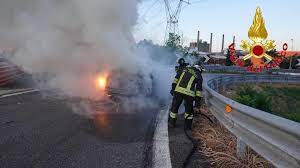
(230, 17)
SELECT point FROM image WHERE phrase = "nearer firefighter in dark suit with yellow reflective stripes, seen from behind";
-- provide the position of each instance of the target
(186, 87)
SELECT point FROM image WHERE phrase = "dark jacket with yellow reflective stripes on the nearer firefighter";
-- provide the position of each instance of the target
(188, 82)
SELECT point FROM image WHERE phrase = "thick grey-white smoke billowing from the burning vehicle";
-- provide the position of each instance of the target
(70, 41)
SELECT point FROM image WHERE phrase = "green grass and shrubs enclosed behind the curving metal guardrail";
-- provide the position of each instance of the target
(279, 100)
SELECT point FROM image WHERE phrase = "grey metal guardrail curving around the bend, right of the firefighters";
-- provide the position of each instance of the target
(276, 139)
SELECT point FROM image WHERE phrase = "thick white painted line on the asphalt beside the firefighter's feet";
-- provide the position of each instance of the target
(161, 148)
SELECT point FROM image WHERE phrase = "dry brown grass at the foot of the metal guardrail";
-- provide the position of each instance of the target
(219, 145)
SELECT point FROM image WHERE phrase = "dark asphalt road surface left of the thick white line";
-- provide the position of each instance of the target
(39, 131)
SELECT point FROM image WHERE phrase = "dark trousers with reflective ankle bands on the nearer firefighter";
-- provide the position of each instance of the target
(178, 98)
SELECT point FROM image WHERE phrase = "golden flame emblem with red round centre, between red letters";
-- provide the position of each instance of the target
(258, 46)
